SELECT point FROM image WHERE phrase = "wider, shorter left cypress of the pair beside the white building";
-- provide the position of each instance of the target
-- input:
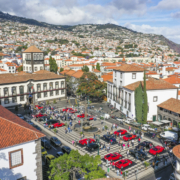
(138, 103)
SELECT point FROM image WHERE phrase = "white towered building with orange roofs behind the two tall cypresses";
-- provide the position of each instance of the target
(126, 79)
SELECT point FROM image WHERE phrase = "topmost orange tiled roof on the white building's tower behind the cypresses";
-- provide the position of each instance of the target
(129, 68)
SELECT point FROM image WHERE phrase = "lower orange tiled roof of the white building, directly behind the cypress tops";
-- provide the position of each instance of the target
(152, 84)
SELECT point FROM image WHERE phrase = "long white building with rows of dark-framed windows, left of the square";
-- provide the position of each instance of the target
(24, 87)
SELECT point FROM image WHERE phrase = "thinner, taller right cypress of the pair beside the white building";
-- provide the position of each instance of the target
(145, 103)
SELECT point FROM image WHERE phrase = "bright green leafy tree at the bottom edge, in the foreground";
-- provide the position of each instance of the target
(65, 167)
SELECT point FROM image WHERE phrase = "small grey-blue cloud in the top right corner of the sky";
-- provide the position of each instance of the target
(168, 5)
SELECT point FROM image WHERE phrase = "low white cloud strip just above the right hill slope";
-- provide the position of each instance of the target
(171, 33)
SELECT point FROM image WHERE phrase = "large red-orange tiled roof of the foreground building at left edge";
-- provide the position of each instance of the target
(14, 130)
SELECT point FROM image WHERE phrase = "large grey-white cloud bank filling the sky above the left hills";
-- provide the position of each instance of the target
(72, 12)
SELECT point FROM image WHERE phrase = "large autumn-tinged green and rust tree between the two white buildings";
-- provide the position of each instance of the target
(90, 85)
